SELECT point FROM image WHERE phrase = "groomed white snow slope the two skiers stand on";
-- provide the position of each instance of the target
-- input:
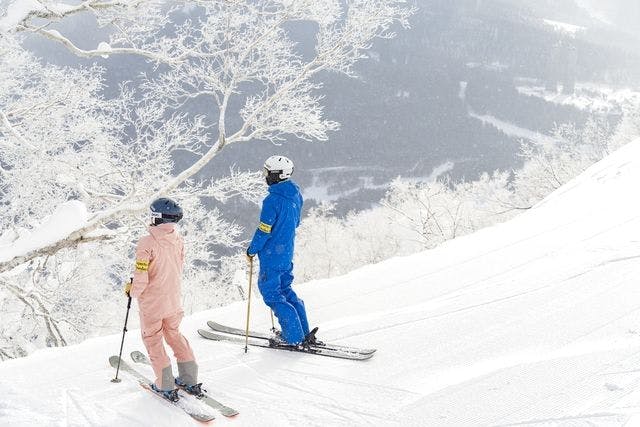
(533, 322)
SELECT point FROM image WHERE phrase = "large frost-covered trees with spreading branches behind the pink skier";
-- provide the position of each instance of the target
(62, 141)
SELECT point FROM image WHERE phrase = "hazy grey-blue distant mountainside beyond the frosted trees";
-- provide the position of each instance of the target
(402, 114)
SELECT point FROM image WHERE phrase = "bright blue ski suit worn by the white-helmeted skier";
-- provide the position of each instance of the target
(273, 241)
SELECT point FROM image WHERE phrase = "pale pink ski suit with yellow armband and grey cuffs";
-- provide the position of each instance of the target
(156, 285)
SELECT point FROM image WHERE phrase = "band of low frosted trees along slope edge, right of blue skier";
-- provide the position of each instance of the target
(414, 216)
